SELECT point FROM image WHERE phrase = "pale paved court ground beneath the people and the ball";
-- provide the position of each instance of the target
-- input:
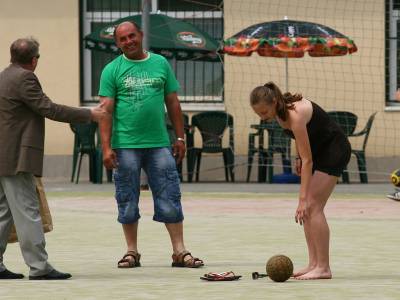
(233, 227)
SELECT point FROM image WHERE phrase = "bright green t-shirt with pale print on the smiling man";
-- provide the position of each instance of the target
(138, 88)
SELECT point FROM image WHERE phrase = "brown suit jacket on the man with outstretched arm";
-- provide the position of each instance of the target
(23, 108)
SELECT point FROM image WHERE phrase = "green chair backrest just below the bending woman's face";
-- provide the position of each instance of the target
(278, 140)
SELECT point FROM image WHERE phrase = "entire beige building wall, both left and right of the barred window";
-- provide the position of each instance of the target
(354, 82)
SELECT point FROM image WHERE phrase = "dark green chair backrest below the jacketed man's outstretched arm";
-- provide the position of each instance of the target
(86, 136)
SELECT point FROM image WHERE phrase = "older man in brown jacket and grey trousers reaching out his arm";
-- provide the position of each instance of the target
(23, 109)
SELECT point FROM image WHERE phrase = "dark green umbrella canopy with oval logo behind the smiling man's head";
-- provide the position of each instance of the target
(167, 36)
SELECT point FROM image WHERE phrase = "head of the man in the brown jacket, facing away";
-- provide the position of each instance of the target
(24, 50)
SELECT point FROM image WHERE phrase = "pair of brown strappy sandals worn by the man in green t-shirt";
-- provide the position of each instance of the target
(132, 260)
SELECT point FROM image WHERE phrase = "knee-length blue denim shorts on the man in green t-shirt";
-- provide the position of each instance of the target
(163, 179)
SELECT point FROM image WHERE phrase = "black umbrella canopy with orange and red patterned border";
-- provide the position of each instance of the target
(288, 38)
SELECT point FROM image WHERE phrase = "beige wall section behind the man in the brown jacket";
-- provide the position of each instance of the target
(56, 25)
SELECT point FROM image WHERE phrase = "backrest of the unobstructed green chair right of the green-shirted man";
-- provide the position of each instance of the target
(212, 125)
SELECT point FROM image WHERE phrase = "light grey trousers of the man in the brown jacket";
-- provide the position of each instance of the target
(19, 204)
